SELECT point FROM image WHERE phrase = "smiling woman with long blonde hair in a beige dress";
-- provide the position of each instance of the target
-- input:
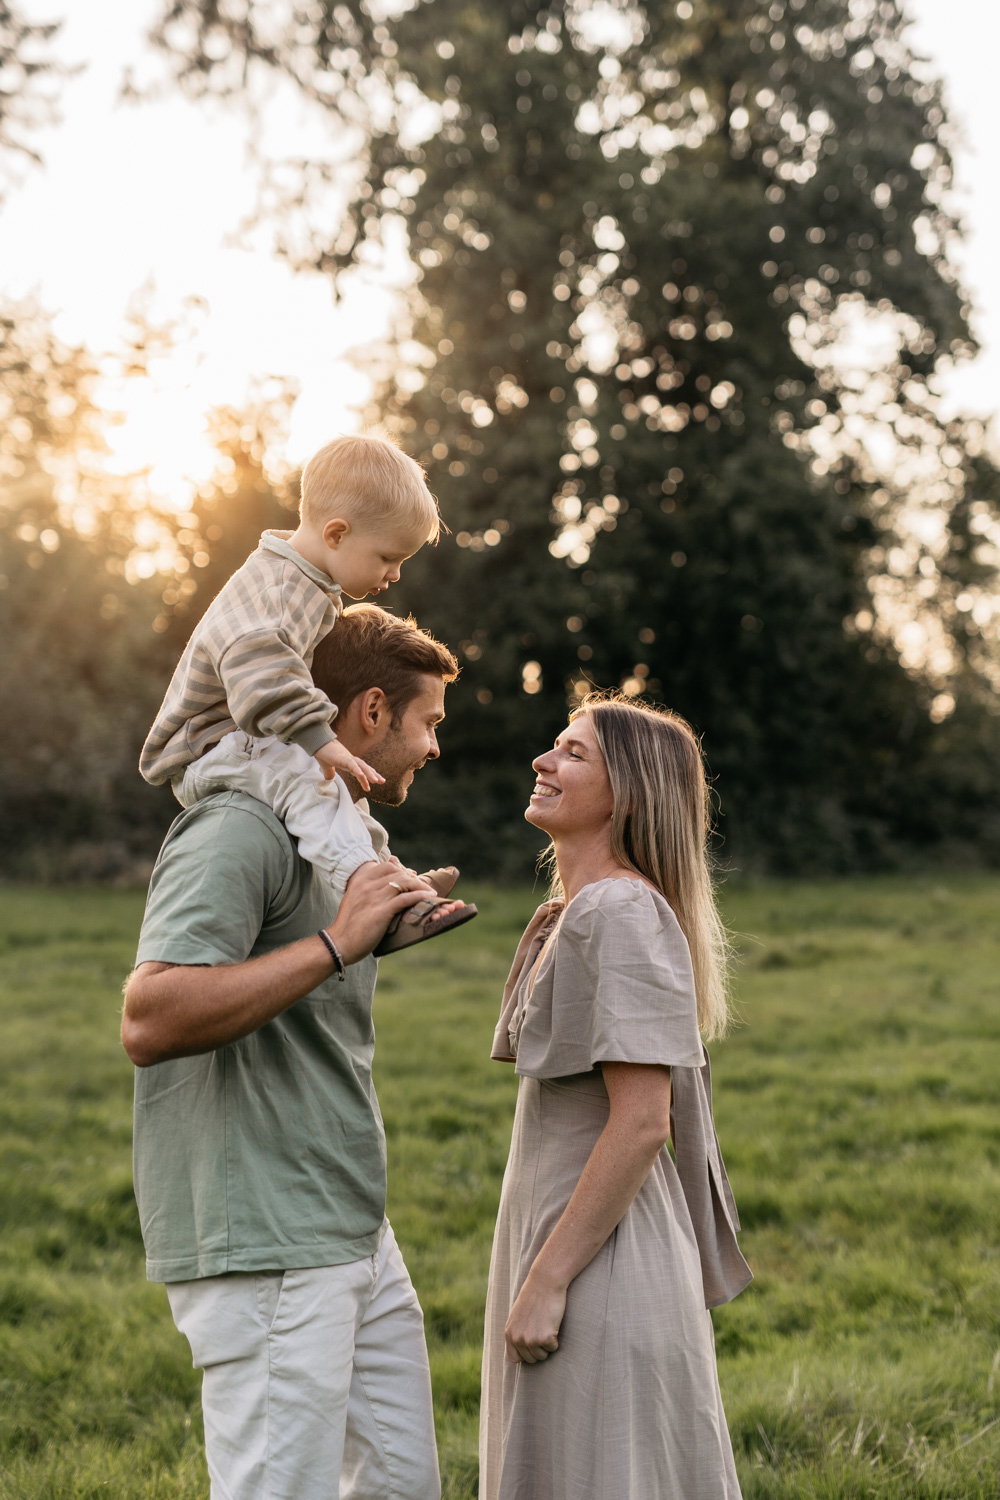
(599, 1373)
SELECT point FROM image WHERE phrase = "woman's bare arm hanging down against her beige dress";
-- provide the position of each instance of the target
(636, 1130)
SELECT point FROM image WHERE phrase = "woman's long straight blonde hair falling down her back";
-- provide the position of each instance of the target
(660, 827)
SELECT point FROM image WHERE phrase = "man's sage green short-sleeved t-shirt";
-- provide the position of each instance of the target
(266, 1154)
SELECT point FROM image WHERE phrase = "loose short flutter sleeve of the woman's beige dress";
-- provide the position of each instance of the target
(614, 986)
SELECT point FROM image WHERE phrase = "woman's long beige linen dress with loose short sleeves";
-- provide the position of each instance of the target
(629, 1406)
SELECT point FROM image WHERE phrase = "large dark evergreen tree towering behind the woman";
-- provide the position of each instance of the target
(633, 253)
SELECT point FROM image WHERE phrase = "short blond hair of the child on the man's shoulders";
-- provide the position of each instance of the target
(370, 482)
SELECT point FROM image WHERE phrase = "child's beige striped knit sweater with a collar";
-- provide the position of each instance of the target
(247, 667)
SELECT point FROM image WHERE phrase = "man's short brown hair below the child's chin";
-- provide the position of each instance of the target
(368, 647)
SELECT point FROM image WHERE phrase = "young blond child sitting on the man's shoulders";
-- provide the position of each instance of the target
(242, 712)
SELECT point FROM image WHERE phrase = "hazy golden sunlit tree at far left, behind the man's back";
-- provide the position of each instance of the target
(80, 658)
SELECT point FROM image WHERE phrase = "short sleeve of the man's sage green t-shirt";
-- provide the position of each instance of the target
(223, 872)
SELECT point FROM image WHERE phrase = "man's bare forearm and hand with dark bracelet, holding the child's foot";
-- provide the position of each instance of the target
(181, 1010)
